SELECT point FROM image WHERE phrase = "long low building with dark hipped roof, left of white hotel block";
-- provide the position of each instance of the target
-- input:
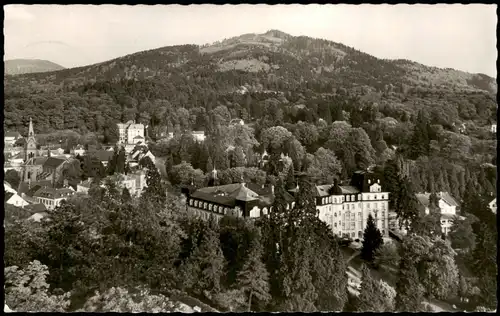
(238, 199)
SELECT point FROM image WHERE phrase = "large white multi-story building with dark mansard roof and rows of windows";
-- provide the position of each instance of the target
(346, 208)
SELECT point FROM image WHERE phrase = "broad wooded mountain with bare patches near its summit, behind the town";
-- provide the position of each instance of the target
(243, 72)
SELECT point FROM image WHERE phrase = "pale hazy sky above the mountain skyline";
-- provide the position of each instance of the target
(456, 36)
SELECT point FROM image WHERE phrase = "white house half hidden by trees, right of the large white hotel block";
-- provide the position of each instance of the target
(447, 206)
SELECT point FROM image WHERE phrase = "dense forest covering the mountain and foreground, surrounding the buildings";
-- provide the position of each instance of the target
(314, 107)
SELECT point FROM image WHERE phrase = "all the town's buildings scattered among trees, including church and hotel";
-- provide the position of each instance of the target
(345, 208)
